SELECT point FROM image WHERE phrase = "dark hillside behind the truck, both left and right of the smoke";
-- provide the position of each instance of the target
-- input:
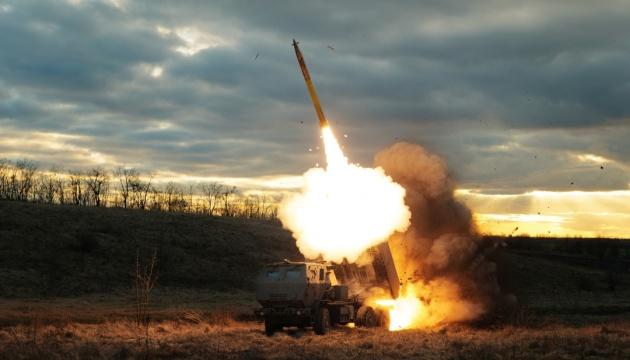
(61, 251)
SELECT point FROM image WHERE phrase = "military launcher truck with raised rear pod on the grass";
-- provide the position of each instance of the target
(320, 295)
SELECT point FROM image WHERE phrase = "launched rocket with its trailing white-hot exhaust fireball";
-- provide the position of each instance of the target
(344, 209)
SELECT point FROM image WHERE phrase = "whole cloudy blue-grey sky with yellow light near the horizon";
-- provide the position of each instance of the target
(529, 102)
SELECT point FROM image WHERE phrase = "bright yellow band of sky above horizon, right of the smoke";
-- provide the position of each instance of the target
(549, 213)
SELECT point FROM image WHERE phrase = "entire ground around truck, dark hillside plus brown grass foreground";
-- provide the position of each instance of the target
(66, 277)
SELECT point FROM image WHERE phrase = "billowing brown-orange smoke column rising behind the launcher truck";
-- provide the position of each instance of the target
(439, 255)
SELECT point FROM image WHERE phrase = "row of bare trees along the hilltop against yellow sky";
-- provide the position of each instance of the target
(127, 188)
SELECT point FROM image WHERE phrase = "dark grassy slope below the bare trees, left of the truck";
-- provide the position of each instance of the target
(53, 250)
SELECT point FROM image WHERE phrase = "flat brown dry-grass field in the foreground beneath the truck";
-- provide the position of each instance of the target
(215, 325)
